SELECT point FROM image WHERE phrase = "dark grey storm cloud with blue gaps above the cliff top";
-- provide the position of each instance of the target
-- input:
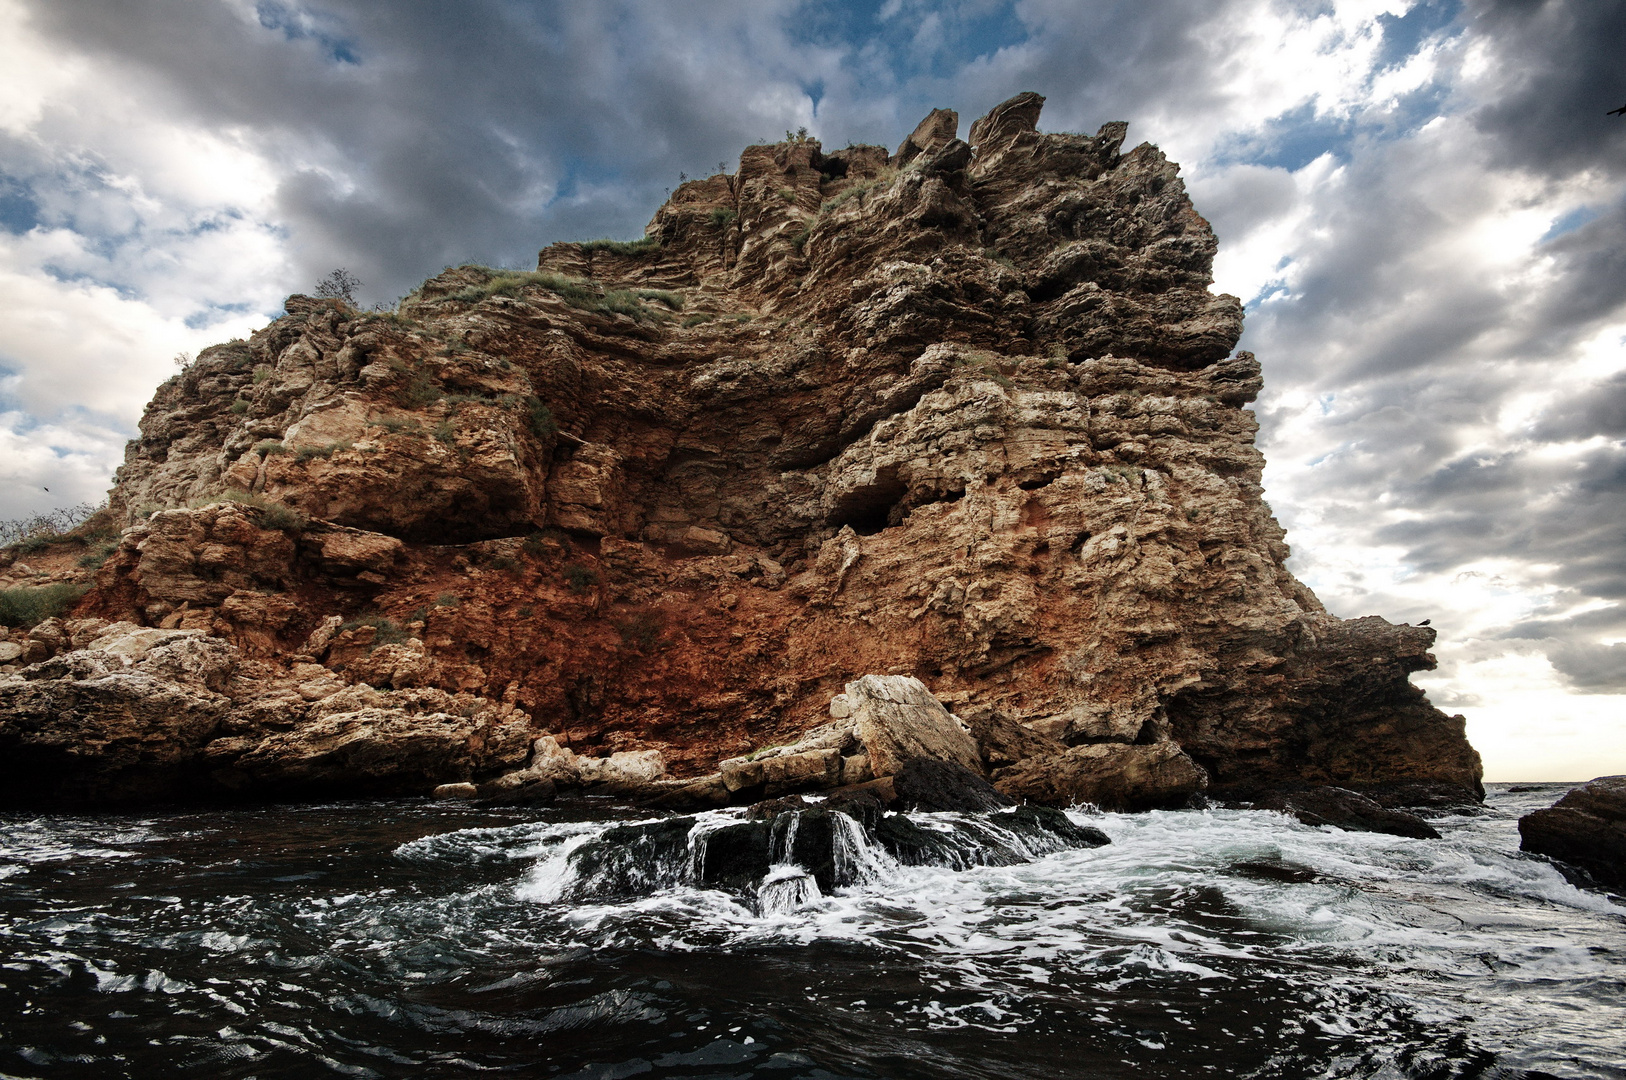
(419, 134)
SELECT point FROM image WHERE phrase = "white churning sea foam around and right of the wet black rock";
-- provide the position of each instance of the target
(1456, 926)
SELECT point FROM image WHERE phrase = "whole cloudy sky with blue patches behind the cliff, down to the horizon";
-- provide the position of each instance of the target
(1424, 206)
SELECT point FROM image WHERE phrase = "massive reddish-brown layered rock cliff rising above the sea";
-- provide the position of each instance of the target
(967, 412)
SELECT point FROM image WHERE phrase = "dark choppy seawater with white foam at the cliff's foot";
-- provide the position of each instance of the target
(432, 941)
